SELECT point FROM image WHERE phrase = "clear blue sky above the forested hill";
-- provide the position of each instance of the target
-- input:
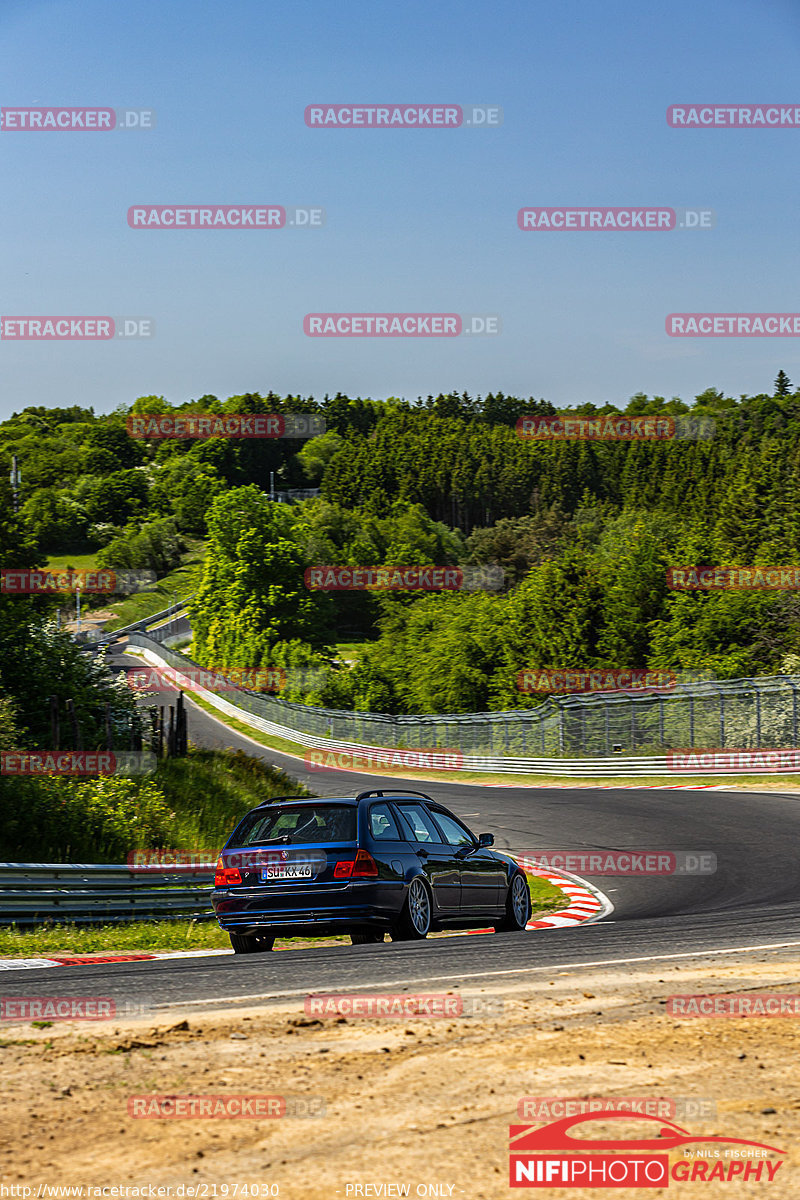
(417, 221)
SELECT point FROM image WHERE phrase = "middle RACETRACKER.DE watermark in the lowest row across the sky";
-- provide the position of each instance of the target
(401, 325)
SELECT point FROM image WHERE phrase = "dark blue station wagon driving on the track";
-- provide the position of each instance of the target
(365, 866)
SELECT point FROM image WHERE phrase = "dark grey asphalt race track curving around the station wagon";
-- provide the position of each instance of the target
(753, 903)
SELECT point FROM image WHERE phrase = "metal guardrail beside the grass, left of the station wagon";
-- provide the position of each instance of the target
(34, 893)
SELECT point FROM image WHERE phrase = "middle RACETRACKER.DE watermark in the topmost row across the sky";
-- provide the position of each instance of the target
(402, 117)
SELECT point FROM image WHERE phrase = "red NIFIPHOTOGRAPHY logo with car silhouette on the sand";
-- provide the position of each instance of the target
(566, 1155)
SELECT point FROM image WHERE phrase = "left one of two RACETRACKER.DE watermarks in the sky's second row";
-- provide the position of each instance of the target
(226, 217)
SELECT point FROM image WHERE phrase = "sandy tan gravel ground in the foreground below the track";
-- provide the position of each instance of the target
(418, 1102)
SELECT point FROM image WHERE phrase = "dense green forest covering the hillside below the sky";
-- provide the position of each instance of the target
(585, 532)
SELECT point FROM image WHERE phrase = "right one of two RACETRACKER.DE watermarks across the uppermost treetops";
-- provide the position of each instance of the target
(615, 428)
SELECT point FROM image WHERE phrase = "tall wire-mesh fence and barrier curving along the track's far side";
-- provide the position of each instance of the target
(744, 715)
